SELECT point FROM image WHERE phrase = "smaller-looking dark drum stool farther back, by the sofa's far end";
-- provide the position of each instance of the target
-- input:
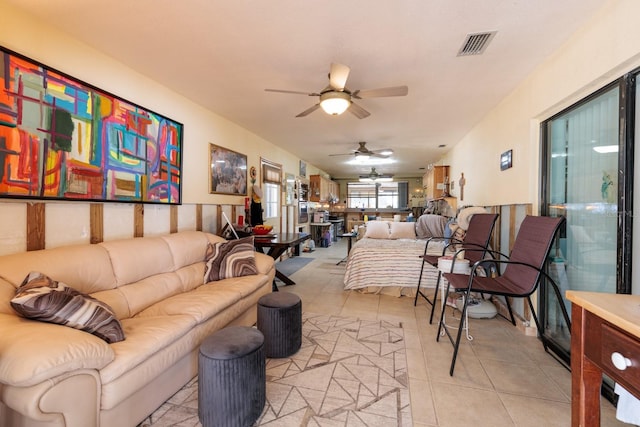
(280, 320)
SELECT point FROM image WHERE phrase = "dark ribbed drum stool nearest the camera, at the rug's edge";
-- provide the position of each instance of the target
(231, 377)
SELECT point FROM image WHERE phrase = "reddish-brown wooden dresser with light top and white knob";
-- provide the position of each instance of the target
(605, 338)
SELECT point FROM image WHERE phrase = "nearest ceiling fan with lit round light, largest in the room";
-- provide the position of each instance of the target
(335, 99)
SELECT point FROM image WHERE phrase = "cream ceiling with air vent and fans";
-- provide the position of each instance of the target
(223, 54)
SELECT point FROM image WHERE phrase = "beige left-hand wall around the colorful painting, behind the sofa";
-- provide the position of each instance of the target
(68, 222)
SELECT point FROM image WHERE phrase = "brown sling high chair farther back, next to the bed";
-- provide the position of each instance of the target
(475, 243)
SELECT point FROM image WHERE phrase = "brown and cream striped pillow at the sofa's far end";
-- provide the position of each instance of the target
(233, 258)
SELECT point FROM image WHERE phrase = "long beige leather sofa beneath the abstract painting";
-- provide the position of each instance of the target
(58, 376)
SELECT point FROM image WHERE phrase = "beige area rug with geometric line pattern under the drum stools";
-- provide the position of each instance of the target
(348, 372)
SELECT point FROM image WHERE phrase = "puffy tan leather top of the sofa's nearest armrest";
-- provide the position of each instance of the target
(35, 351)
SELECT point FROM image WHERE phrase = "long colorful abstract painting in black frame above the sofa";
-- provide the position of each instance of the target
(64, 139)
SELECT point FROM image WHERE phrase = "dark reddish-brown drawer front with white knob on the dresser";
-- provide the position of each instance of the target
(614, 341)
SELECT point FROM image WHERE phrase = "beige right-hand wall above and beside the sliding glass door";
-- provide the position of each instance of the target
(603, 51)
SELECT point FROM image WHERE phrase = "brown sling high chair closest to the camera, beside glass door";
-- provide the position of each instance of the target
(523, 271)
